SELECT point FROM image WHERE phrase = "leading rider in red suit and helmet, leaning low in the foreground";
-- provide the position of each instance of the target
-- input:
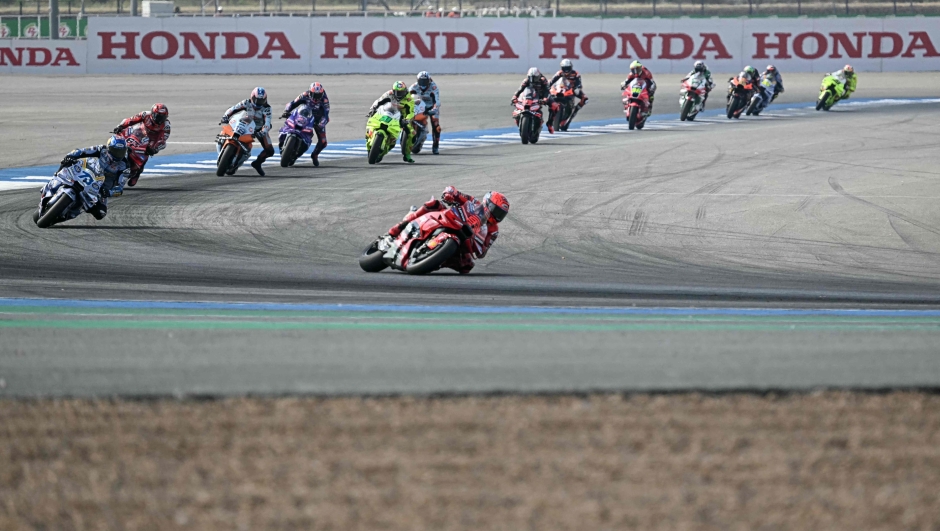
(481, 216)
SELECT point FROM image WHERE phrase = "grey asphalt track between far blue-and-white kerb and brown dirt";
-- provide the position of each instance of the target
(792, 217)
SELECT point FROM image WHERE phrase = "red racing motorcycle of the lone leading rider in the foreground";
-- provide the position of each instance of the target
(423, 246)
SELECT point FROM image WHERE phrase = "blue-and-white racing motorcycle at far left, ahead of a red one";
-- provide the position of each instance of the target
(72, 190)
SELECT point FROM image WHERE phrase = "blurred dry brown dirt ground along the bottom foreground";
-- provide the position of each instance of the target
(833, 460)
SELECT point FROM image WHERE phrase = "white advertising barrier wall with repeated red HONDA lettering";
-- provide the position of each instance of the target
(301, 45)
